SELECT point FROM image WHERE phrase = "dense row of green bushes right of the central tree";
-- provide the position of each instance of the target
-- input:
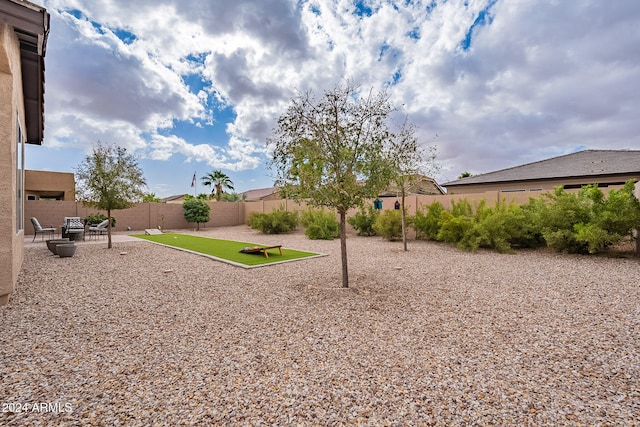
(587, 221)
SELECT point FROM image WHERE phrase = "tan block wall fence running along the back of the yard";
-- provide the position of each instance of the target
(169, 216)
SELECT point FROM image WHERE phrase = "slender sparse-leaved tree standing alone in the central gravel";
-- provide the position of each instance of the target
(330, 152)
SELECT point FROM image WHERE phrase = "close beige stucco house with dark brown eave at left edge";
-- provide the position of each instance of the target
(24, 28)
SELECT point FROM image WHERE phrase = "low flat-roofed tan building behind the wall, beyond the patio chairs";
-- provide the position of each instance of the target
(43, 185)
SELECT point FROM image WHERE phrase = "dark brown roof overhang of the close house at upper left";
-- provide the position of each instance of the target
(30, 23)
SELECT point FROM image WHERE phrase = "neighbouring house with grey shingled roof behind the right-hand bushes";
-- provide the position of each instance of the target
(602, 167)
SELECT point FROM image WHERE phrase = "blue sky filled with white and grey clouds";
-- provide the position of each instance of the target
(194, 86)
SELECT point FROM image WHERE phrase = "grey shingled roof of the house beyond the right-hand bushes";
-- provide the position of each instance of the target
(582, 163)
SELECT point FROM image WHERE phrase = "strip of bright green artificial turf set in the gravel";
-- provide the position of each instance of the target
(228, 250)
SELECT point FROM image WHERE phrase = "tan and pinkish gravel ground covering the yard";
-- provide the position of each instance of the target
(433, 336)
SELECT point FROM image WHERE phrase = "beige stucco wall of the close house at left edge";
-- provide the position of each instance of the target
(11, 109)
